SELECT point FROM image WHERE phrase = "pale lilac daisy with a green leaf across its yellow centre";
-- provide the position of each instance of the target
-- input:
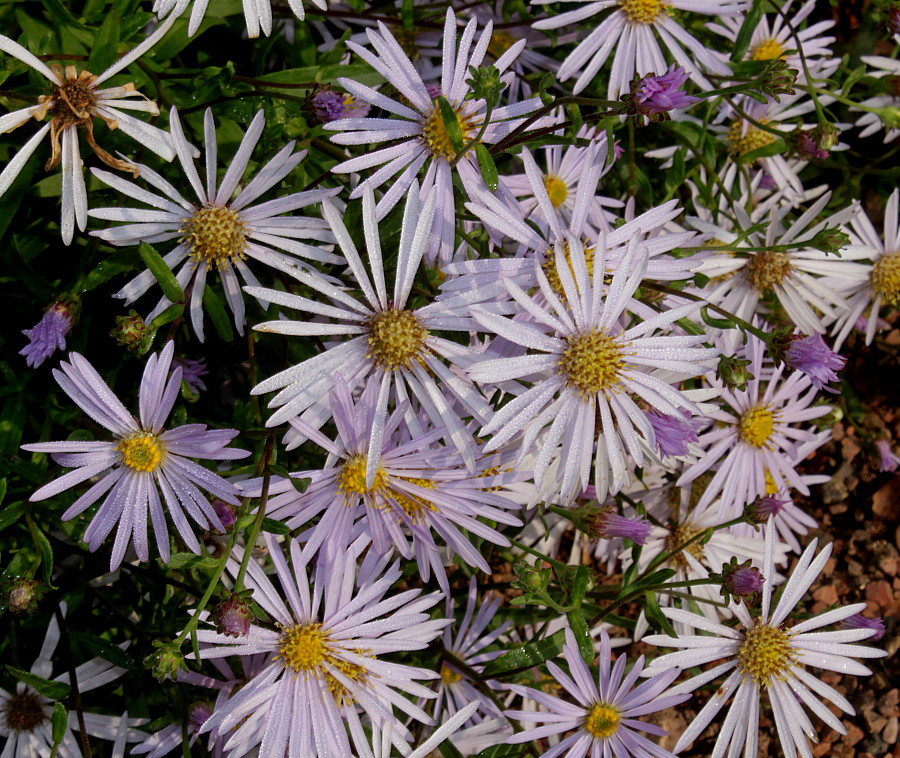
(420, 134)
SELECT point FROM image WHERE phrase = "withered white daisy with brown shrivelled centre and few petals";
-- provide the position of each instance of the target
(73, 103)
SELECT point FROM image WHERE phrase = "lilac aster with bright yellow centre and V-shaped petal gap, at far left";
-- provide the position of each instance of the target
(142, 460)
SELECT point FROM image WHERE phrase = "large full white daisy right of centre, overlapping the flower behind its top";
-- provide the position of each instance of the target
(589, 369)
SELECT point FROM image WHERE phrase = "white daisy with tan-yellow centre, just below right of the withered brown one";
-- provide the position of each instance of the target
(223, 227)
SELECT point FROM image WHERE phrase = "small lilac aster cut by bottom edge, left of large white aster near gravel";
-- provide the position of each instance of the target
(606, 720)
